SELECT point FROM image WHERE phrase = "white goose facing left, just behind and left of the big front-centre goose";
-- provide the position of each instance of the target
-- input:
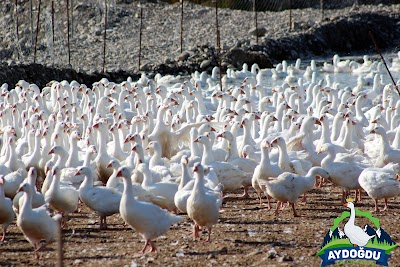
(104, 201)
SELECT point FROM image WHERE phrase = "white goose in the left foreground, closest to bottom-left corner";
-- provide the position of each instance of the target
(36, 224)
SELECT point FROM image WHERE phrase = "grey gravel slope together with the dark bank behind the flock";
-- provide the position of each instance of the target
(343, 30)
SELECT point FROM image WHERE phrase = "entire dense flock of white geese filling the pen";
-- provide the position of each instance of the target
(149, 148)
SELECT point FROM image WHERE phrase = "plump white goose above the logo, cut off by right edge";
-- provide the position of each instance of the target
(380, 183)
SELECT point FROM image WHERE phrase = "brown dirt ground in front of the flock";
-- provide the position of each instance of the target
(246, 235)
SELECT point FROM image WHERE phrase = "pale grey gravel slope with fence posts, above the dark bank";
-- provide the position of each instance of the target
(88, 34)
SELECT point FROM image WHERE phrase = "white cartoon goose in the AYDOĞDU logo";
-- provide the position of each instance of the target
(356, 235)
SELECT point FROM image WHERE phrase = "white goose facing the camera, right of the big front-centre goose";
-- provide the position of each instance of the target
(202, 208)
